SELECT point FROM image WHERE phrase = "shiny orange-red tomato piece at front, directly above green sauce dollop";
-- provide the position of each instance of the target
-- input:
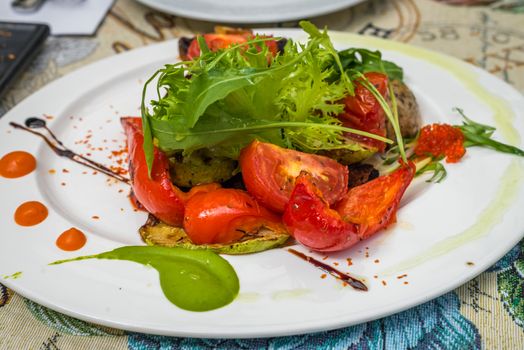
(225, 215)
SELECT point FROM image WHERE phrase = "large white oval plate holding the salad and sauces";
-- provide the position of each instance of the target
(474, 216)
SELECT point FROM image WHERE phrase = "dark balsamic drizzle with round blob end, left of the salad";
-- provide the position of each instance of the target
(58, 147)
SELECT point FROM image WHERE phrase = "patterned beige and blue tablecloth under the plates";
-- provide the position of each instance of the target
(487, 312)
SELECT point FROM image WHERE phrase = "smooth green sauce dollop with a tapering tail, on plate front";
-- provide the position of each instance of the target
(194, 280)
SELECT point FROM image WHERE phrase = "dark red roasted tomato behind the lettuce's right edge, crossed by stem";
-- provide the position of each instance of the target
(364, 112)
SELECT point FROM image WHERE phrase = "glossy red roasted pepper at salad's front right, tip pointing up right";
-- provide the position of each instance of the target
(365, 210)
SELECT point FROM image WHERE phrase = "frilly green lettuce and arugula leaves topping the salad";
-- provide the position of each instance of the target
(223, 100)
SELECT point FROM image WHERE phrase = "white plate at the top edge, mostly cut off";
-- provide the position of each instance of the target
(249, 11)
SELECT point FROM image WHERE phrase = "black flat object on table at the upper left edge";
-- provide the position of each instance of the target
(19, 44)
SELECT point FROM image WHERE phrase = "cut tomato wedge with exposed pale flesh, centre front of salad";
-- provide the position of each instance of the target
(269, 173)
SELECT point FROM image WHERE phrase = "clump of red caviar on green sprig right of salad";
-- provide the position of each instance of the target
(439, 140)
